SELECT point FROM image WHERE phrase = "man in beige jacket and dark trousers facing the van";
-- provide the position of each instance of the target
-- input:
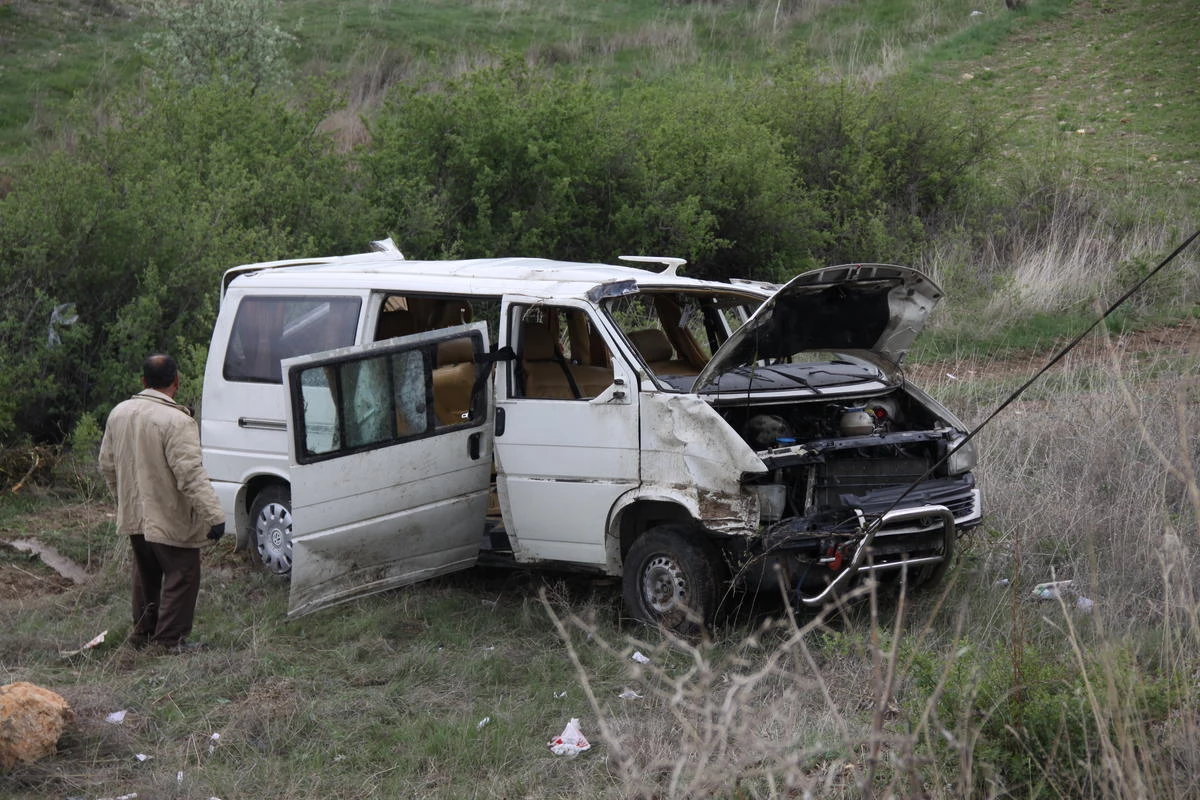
(151, 459)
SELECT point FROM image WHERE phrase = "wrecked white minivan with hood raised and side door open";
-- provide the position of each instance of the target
(371, 422)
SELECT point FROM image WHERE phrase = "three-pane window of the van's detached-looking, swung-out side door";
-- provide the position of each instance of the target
(361, 404)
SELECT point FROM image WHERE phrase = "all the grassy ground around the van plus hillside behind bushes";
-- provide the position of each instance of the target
(452, 689)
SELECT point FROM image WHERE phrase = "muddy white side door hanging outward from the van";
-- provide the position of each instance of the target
(391, 448)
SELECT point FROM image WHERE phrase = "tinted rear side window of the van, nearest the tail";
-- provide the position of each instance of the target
(268, 330)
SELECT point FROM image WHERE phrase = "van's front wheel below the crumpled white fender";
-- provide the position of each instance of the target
(671, 580)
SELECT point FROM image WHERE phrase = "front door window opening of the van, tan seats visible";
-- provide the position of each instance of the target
(561, 354)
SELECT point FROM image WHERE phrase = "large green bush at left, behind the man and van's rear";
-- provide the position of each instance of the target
(135, 226)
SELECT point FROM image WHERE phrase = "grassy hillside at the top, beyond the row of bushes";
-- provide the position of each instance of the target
(1107, 86)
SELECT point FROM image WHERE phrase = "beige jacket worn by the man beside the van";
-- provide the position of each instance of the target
(151, 459)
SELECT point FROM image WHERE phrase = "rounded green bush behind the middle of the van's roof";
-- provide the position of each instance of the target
(500, 163)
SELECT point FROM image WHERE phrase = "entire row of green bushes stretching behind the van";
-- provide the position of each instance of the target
(749, 177)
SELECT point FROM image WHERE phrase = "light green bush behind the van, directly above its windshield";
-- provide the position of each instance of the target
(717, 187)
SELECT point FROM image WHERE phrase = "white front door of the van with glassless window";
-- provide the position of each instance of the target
(571, 446)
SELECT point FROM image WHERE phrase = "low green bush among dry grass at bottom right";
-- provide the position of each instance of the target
(1034, 720)
